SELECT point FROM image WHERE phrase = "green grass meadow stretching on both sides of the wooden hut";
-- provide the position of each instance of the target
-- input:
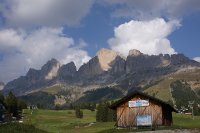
(65, 122)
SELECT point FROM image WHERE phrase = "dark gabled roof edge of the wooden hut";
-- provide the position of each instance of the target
(134, 93)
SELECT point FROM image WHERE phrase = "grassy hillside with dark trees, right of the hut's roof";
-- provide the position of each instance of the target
(178, 88)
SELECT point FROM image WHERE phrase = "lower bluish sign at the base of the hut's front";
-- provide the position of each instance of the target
(144, 120)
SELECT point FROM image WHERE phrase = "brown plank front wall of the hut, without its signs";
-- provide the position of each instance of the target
(126, 117)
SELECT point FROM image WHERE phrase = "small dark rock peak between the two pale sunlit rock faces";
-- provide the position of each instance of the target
(67, 71)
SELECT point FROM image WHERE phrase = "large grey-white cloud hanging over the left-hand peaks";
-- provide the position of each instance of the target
(21, 50)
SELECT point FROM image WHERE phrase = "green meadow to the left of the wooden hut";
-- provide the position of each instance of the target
(64, 121)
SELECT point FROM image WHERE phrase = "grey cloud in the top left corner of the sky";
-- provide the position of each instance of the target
(25, 13)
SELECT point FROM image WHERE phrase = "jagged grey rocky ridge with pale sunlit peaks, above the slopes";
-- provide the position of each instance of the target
(107, 68)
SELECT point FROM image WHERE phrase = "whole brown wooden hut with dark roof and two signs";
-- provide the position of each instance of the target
(139, 109)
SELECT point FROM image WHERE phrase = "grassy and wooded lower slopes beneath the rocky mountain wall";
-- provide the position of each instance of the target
(162, 89)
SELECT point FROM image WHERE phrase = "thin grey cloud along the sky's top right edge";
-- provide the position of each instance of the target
(149, 9)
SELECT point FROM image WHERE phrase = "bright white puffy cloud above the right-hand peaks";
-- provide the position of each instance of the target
(150, 37)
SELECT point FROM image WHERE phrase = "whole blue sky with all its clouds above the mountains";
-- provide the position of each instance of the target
(32, 32)
